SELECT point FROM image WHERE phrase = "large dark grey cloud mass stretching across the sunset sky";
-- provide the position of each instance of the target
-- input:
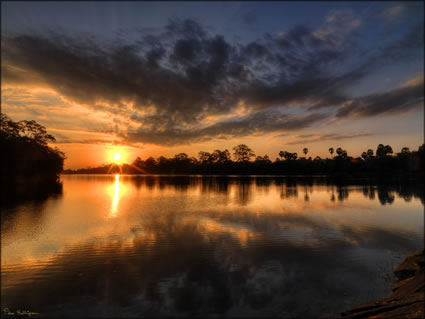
(176, 77)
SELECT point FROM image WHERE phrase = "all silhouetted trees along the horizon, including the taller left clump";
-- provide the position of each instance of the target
(25, 153)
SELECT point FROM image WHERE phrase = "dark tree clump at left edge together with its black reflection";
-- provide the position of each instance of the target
(30, 168)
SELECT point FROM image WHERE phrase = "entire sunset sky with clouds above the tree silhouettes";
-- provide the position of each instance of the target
(160, 78)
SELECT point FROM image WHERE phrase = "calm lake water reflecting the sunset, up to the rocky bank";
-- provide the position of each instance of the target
(124, 246)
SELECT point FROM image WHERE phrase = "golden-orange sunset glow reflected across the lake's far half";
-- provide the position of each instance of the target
(113, 203)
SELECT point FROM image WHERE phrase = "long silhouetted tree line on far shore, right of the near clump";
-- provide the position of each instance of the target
(243, 160)
